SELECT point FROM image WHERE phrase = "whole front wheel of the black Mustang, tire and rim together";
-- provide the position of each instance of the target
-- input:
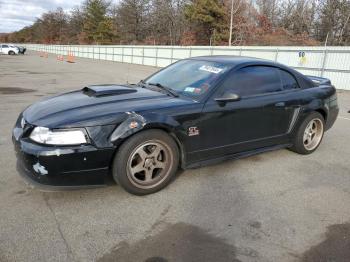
(146, 162)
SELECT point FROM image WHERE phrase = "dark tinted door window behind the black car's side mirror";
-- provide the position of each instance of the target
(253, 80)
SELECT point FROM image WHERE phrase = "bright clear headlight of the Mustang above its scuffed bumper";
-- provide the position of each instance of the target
(44, 135)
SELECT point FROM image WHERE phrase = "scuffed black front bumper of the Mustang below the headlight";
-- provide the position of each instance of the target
(60, 168)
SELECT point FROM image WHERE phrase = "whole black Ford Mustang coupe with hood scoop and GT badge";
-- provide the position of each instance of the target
(194, 112)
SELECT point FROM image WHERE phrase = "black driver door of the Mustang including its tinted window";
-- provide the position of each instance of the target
(260, 118)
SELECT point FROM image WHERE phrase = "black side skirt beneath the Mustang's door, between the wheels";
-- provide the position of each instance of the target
(236, 156)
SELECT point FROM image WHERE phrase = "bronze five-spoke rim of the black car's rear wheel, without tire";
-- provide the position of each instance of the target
(313, 134)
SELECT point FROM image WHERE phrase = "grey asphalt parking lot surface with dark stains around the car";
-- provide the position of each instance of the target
(277, 206)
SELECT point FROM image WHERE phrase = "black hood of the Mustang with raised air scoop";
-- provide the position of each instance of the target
(97, 105)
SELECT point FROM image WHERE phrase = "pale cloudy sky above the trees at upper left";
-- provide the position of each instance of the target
(15, 14)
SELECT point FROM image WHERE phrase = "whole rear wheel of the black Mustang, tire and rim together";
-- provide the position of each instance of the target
(307, 140)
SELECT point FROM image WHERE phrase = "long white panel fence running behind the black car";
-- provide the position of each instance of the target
(330, 62)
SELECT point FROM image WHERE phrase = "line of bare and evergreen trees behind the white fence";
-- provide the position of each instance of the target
(193, 22)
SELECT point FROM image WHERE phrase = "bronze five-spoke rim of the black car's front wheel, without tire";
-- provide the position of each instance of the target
(149, 164)
